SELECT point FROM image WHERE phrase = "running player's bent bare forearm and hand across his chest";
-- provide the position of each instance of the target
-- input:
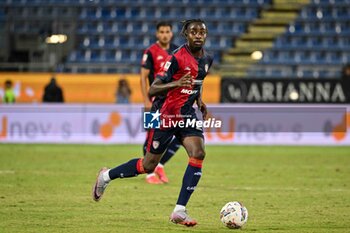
(158, 87)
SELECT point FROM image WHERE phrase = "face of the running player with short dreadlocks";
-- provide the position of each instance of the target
(196, 35)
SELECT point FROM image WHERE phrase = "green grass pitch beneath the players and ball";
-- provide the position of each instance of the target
(47, 188)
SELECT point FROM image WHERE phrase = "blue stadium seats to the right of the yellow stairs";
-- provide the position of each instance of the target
(315, 45)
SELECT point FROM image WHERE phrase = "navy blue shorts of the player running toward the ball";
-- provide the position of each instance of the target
(158, 140)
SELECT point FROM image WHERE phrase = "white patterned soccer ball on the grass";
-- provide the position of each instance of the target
(234, 215)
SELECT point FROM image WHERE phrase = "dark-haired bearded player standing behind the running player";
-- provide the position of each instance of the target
(152, 61)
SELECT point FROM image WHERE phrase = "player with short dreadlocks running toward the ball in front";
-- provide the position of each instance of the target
(181, 77)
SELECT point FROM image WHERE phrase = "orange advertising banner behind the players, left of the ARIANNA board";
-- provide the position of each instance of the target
(89, 88)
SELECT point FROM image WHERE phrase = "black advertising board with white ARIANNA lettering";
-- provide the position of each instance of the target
(330, 91)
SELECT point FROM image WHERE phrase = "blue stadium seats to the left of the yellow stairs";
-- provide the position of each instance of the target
(109, 33)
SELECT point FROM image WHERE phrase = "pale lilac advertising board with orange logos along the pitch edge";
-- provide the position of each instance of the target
(227, 124)
